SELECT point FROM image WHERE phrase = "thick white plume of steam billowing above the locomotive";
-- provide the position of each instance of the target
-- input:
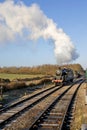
(31, 23)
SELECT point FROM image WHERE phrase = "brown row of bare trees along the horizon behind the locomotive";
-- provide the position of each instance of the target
(46, 69)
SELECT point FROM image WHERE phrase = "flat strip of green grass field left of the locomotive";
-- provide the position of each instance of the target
(19, 76)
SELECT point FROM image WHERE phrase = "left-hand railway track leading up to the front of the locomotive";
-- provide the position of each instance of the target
(14, 110)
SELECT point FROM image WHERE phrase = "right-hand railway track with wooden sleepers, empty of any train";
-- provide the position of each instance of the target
(54, 116)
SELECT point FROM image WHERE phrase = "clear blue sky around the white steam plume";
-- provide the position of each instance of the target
(69, 15)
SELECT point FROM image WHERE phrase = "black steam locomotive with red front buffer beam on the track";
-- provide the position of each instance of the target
(63, 76)
